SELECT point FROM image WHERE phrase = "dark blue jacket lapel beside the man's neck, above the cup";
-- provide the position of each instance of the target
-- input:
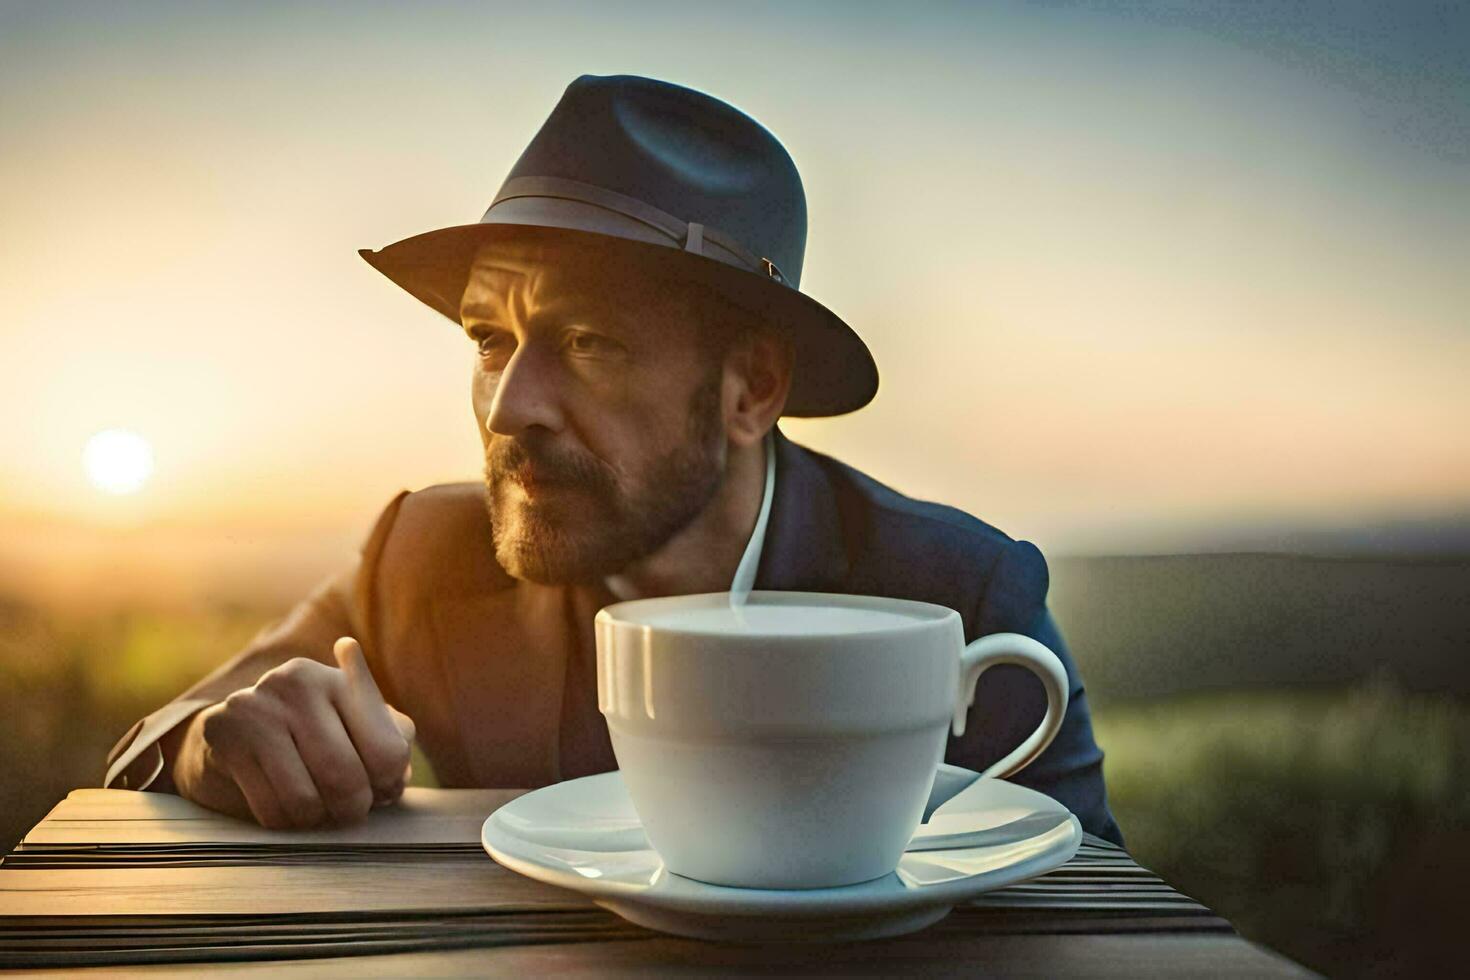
(805, 547)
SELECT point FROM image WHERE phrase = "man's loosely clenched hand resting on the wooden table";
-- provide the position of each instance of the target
(306, 746)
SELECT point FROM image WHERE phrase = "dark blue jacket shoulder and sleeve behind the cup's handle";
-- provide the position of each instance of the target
(836, 530)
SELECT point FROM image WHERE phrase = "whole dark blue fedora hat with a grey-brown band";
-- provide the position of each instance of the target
(674, 184)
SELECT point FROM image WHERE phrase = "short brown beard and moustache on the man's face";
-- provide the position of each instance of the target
(583, 525)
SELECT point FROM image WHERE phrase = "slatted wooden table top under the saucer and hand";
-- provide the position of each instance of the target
(148, 884)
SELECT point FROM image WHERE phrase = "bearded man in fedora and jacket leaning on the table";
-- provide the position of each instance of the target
(639, 331)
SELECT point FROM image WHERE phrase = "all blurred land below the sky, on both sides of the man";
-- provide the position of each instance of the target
(1287, 737)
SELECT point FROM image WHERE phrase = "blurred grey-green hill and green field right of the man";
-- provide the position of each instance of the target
(1288, 741)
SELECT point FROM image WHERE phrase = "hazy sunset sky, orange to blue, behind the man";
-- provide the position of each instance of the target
(1134, 274)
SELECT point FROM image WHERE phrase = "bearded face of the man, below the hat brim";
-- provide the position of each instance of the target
(600, 418)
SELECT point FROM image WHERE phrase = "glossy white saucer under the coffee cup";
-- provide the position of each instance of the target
(584, 835)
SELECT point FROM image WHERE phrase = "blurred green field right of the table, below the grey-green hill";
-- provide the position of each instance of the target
(1333, 826)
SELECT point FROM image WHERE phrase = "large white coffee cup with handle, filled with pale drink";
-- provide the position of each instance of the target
(793, 743)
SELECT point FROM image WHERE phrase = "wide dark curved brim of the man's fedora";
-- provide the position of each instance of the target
(834, 371)
